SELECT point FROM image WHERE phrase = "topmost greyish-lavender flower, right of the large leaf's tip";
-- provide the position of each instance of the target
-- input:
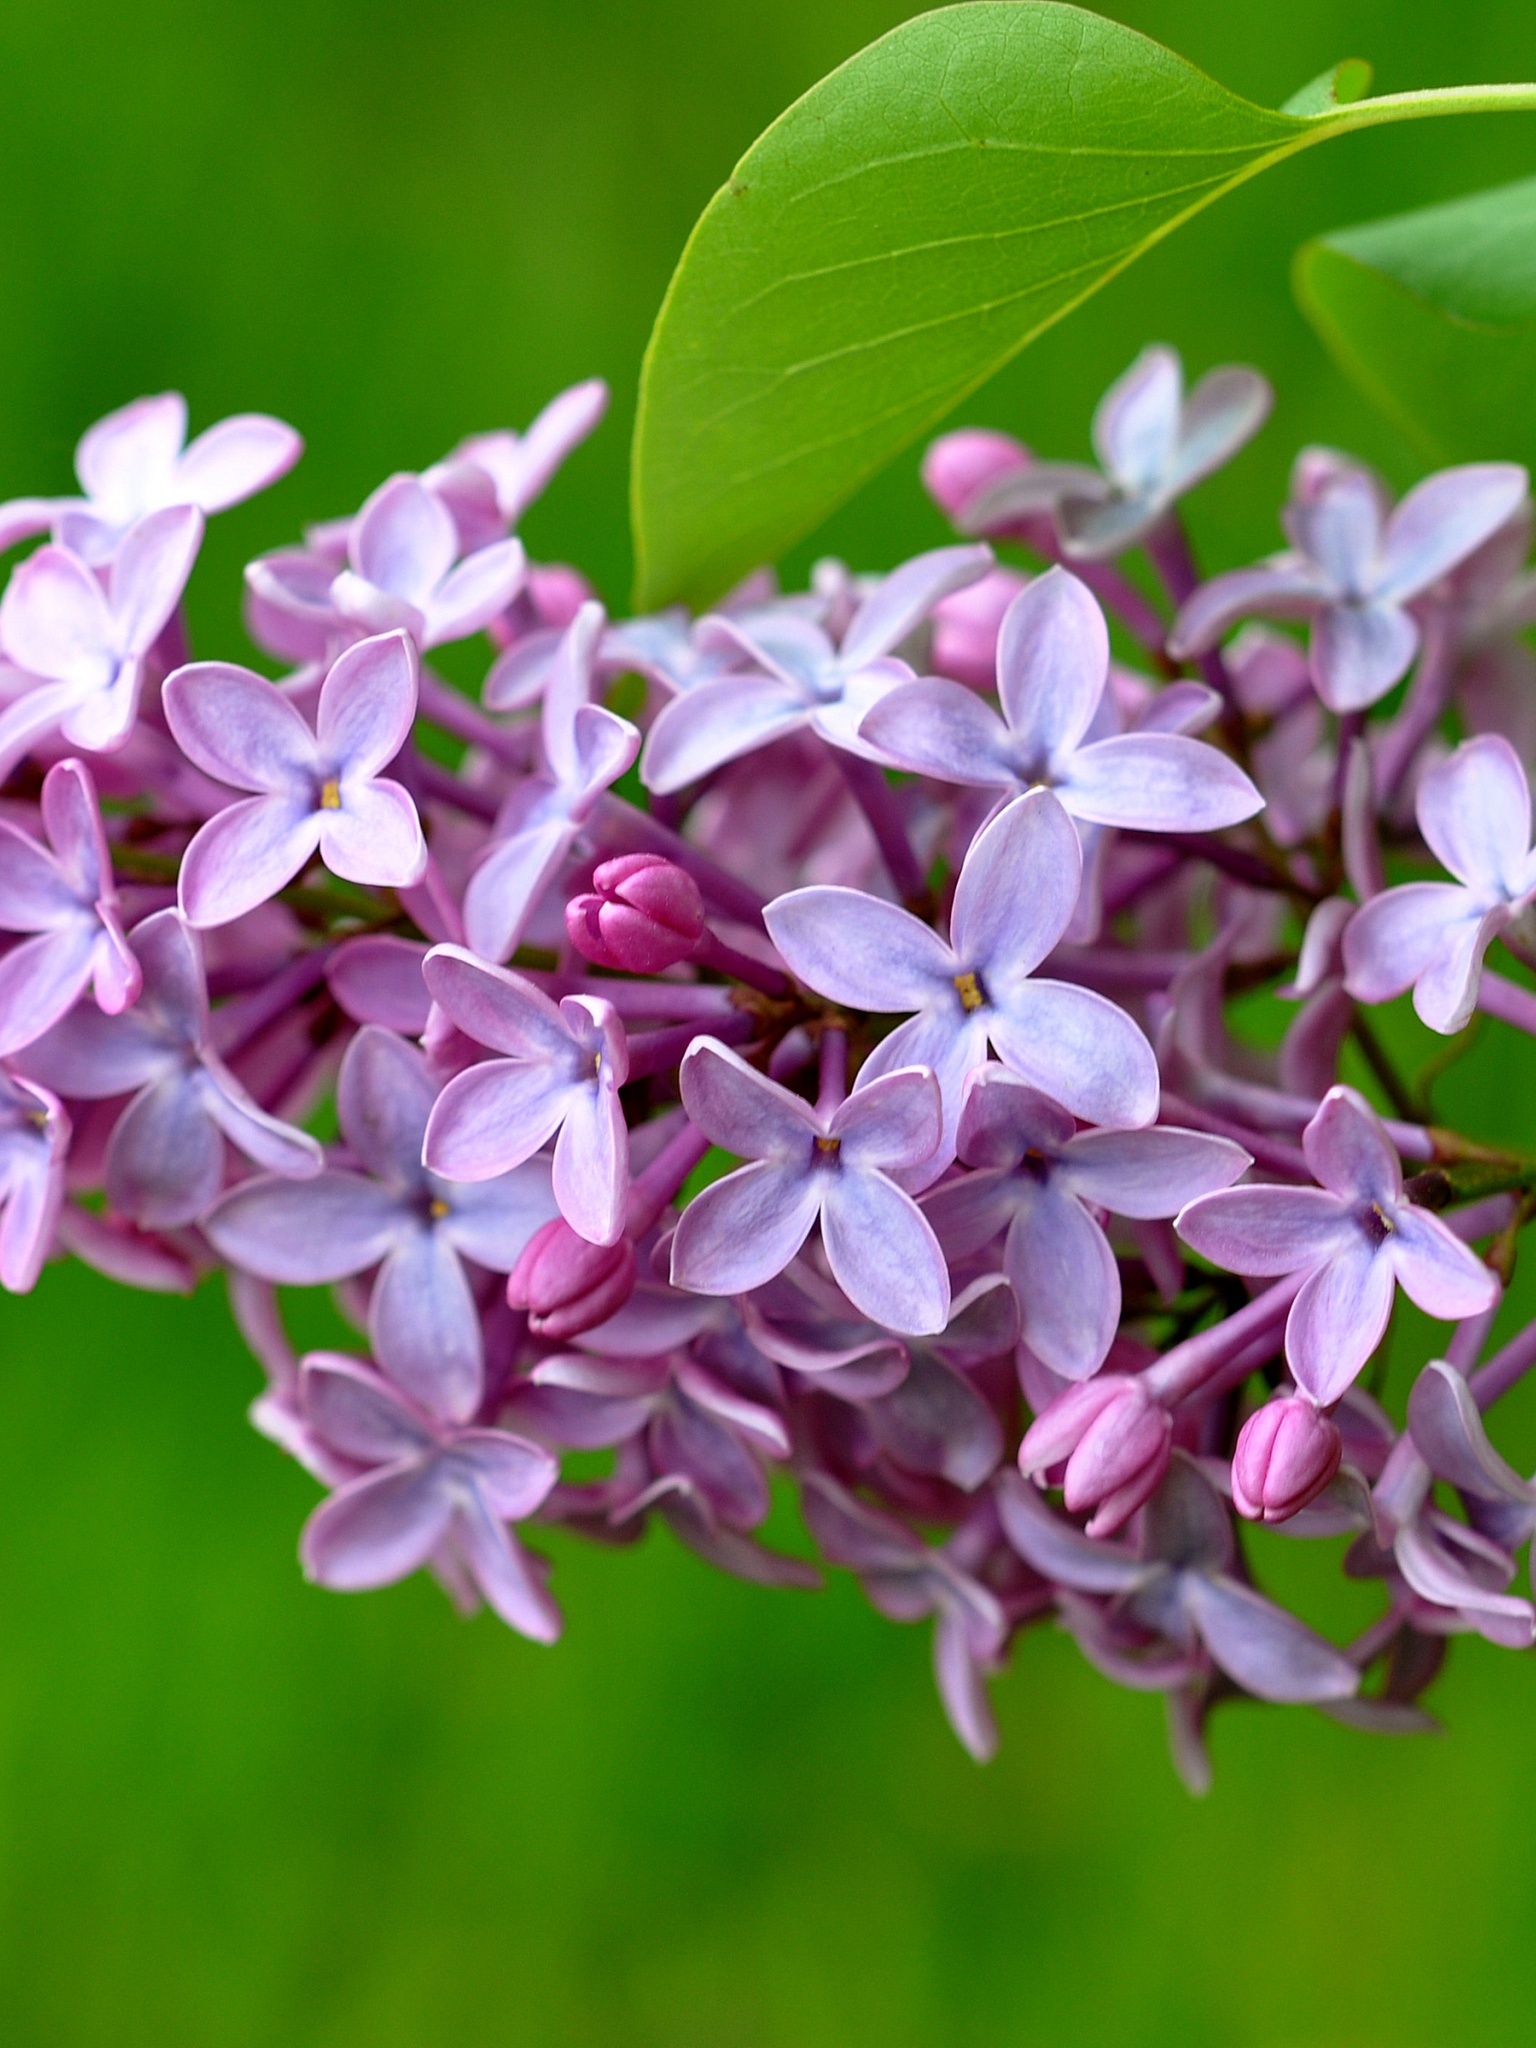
(1154, 443)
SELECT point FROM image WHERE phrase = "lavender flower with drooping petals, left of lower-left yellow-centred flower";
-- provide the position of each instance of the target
(165, 1162)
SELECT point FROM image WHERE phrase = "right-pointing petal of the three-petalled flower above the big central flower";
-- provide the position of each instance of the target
(1158, 783)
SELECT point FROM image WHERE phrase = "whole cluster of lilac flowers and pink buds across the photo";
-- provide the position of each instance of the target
(794, 1046)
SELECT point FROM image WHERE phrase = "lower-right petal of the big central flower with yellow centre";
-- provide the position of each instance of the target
(1078, 1048)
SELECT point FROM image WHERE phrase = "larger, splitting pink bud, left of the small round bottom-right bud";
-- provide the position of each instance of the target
(1115, 1441)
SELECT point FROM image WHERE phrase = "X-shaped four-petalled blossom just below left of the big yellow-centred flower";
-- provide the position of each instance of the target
(810, 1166)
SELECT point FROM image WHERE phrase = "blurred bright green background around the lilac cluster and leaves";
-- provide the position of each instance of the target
(241, 1811)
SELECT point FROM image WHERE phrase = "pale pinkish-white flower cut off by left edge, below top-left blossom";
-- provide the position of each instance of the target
(85, 640)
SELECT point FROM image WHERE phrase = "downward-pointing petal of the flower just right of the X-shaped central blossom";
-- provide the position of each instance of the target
(1066, 1281)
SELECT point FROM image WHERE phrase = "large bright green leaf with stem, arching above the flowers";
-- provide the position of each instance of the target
(902, 232)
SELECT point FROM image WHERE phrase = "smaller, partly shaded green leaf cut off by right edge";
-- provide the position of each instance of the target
(1435, 316)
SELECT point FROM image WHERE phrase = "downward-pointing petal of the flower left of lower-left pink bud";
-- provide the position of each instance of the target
(425, 1326)
